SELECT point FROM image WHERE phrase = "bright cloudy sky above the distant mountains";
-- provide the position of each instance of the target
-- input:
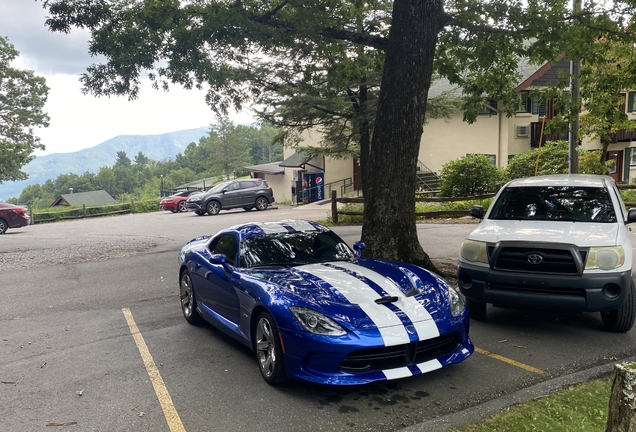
(79, 121)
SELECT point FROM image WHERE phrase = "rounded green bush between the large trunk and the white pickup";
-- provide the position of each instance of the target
(470, 176)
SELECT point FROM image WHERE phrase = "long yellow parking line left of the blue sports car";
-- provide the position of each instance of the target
(169, 411)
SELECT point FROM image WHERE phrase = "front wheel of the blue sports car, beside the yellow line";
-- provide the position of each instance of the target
(267, 346)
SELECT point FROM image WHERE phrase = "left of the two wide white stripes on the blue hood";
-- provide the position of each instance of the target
(361, 294)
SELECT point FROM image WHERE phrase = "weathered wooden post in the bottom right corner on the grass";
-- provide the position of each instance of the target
(622, 406)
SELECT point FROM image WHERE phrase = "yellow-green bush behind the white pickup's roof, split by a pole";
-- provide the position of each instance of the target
(553, 158)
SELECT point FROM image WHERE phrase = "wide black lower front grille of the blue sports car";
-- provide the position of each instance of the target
(374, 359)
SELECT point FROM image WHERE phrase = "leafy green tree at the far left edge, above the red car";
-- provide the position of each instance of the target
(22, 99)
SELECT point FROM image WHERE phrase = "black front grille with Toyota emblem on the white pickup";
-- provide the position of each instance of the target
(559, 261)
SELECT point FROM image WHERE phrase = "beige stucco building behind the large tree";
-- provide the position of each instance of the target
(493, 134)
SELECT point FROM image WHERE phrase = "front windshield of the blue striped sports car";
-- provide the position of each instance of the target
(291, 249)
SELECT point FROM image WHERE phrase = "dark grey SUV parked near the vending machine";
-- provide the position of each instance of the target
(246, 194)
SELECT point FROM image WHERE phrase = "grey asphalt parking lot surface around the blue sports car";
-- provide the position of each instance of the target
(92, 338)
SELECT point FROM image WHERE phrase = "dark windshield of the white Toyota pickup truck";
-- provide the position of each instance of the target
(559, 203)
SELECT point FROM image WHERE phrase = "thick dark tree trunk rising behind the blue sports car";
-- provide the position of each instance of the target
(389, 228)
